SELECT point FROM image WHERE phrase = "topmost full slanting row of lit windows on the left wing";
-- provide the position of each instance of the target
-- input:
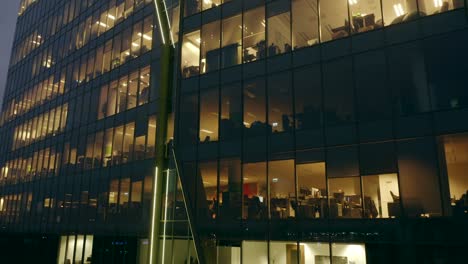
(55, 72)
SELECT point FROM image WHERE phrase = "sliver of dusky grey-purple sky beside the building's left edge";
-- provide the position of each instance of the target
(8, 15)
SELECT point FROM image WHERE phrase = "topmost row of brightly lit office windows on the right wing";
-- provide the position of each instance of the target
(261, 31)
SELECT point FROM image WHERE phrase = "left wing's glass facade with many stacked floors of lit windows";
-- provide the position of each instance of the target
(78, 137)
